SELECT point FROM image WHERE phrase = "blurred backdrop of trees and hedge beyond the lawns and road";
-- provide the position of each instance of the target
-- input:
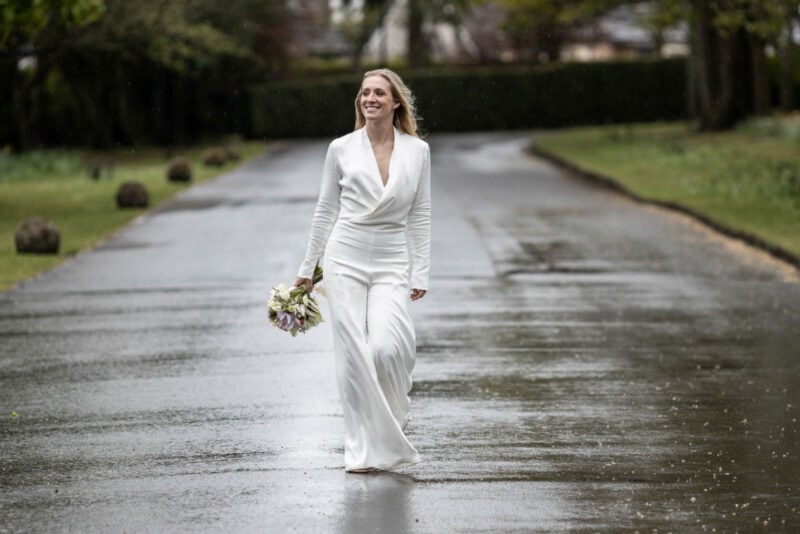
(105, 73)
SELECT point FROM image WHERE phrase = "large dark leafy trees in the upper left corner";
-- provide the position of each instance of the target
(116, 70)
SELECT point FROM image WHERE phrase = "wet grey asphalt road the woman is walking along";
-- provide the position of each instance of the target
(586, 363)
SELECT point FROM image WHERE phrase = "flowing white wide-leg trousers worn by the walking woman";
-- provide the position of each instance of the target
(366, 280)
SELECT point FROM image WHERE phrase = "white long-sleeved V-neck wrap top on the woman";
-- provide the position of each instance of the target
(352, 191)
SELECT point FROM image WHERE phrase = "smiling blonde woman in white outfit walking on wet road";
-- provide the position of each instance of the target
(373, 214)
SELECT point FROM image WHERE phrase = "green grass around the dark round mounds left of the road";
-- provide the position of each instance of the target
(55, 184)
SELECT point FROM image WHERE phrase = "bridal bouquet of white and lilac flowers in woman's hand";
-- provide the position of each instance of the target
(295, 309)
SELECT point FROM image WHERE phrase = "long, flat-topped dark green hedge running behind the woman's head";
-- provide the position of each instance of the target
(485, 99)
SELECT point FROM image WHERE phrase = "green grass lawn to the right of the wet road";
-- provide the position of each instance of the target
(747, 179)
